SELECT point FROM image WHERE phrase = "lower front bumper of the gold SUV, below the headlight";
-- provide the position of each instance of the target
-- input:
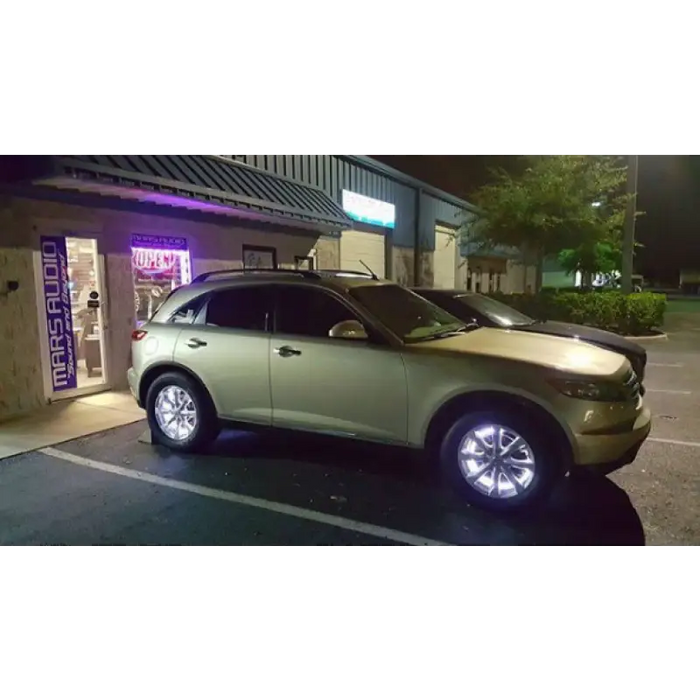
(604, 454)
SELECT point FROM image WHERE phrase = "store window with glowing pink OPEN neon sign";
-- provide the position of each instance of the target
(159, 265)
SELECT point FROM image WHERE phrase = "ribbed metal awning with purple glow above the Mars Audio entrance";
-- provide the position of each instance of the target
(190, 180)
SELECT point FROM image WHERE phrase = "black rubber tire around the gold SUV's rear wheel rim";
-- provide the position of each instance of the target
(207, 425)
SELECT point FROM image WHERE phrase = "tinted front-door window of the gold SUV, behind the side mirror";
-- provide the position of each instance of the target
(308, 312)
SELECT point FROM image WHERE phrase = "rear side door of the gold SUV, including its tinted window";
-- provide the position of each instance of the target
(228, 348)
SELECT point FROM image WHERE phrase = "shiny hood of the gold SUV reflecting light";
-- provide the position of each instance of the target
(562, 354)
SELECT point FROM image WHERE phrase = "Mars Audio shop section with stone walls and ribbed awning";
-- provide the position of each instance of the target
(90, 243)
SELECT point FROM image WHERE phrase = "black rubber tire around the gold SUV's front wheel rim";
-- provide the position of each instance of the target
(547, 470)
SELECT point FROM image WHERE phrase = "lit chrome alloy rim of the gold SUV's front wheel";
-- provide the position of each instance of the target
(496, 461)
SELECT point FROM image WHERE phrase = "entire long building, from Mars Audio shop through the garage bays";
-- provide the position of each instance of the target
(91, 242)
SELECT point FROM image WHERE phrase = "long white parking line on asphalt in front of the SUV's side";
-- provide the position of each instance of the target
(259, 503)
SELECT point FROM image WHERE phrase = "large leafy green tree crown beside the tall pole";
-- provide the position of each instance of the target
(567, 202)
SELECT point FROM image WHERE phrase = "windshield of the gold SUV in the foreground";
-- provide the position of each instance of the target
(409, 316)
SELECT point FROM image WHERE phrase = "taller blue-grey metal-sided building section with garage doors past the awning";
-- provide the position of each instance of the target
(422, 242)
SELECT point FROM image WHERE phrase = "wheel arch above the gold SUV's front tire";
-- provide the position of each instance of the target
(481, 400)
